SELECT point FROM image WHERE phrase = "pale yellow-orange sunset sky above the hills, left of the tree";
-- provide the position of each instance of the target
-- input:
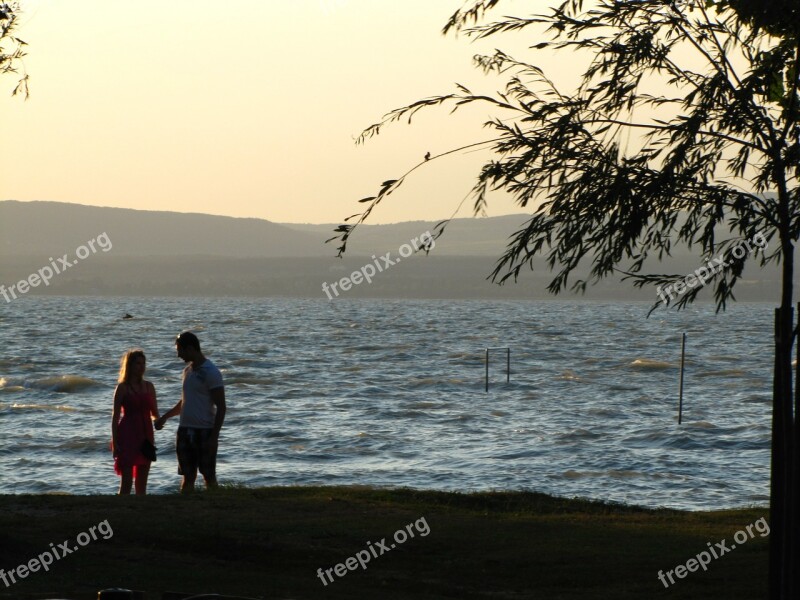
(248, 108)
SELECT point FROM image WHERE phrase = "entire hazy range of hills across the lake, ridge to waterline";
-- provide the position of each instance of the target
(168, 253)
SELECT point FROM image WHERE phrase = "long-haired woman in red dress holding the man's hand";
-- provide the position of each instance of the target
(131, 424)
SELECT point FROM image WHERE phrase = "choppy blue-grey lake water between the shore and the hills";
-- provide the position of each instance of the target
(391, 393)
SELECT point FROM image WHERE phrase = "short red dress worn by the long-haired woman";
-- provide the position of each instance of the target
(133, 428)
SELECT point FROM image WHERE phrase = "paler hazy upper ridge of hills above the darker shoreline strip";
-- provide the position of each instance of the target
(48, 228)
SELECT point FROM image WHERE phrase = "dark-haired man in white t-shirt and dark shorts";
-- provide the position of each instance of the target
(202, 410)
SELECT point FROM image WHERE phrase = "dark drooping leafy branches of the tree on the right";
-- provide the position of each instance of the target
(561, 152)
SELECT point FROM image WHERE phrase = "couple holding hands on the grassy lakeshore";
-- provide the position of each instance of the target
(201, 408)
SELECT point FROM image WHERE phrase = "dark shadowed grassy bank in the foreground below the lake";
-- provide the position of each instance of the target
(269, 543)
